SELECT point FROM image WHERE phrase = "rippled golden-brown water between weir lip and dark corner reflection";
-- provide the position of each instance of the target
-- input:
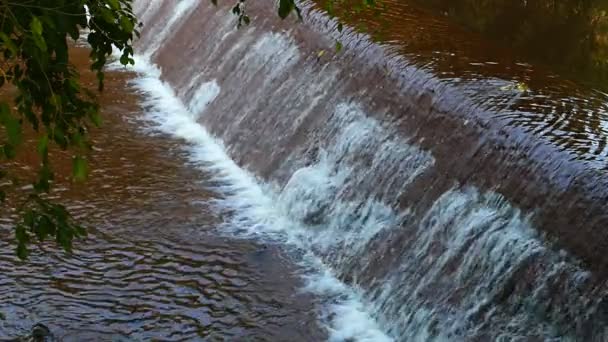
(501, 83)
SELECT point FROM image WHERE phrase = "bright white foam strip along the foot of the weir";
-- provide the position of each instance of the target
(253, 204)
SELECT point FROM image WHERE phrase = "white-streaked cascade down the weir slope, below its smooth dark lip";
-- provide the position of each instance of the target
(303, 152)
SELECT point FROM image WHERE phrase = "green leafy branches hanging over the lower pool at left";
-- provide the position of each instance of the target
(35, 62)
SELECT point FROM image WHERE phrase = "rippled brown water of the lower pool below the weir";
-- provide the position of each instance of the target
(154, 266)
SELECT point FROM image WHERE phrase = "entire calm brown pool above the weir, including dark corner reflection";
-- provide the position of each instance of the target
(564, 49)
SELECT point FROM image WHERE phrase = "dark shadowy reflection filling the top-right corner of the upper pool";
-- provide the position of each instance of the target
(570, 35)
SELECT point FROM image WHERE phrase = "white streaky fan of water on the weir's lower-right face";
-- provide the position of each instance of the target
(477, 243)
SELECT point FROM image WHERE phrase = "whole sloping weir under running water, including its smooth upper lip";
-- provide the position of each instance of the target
(442, 217)
